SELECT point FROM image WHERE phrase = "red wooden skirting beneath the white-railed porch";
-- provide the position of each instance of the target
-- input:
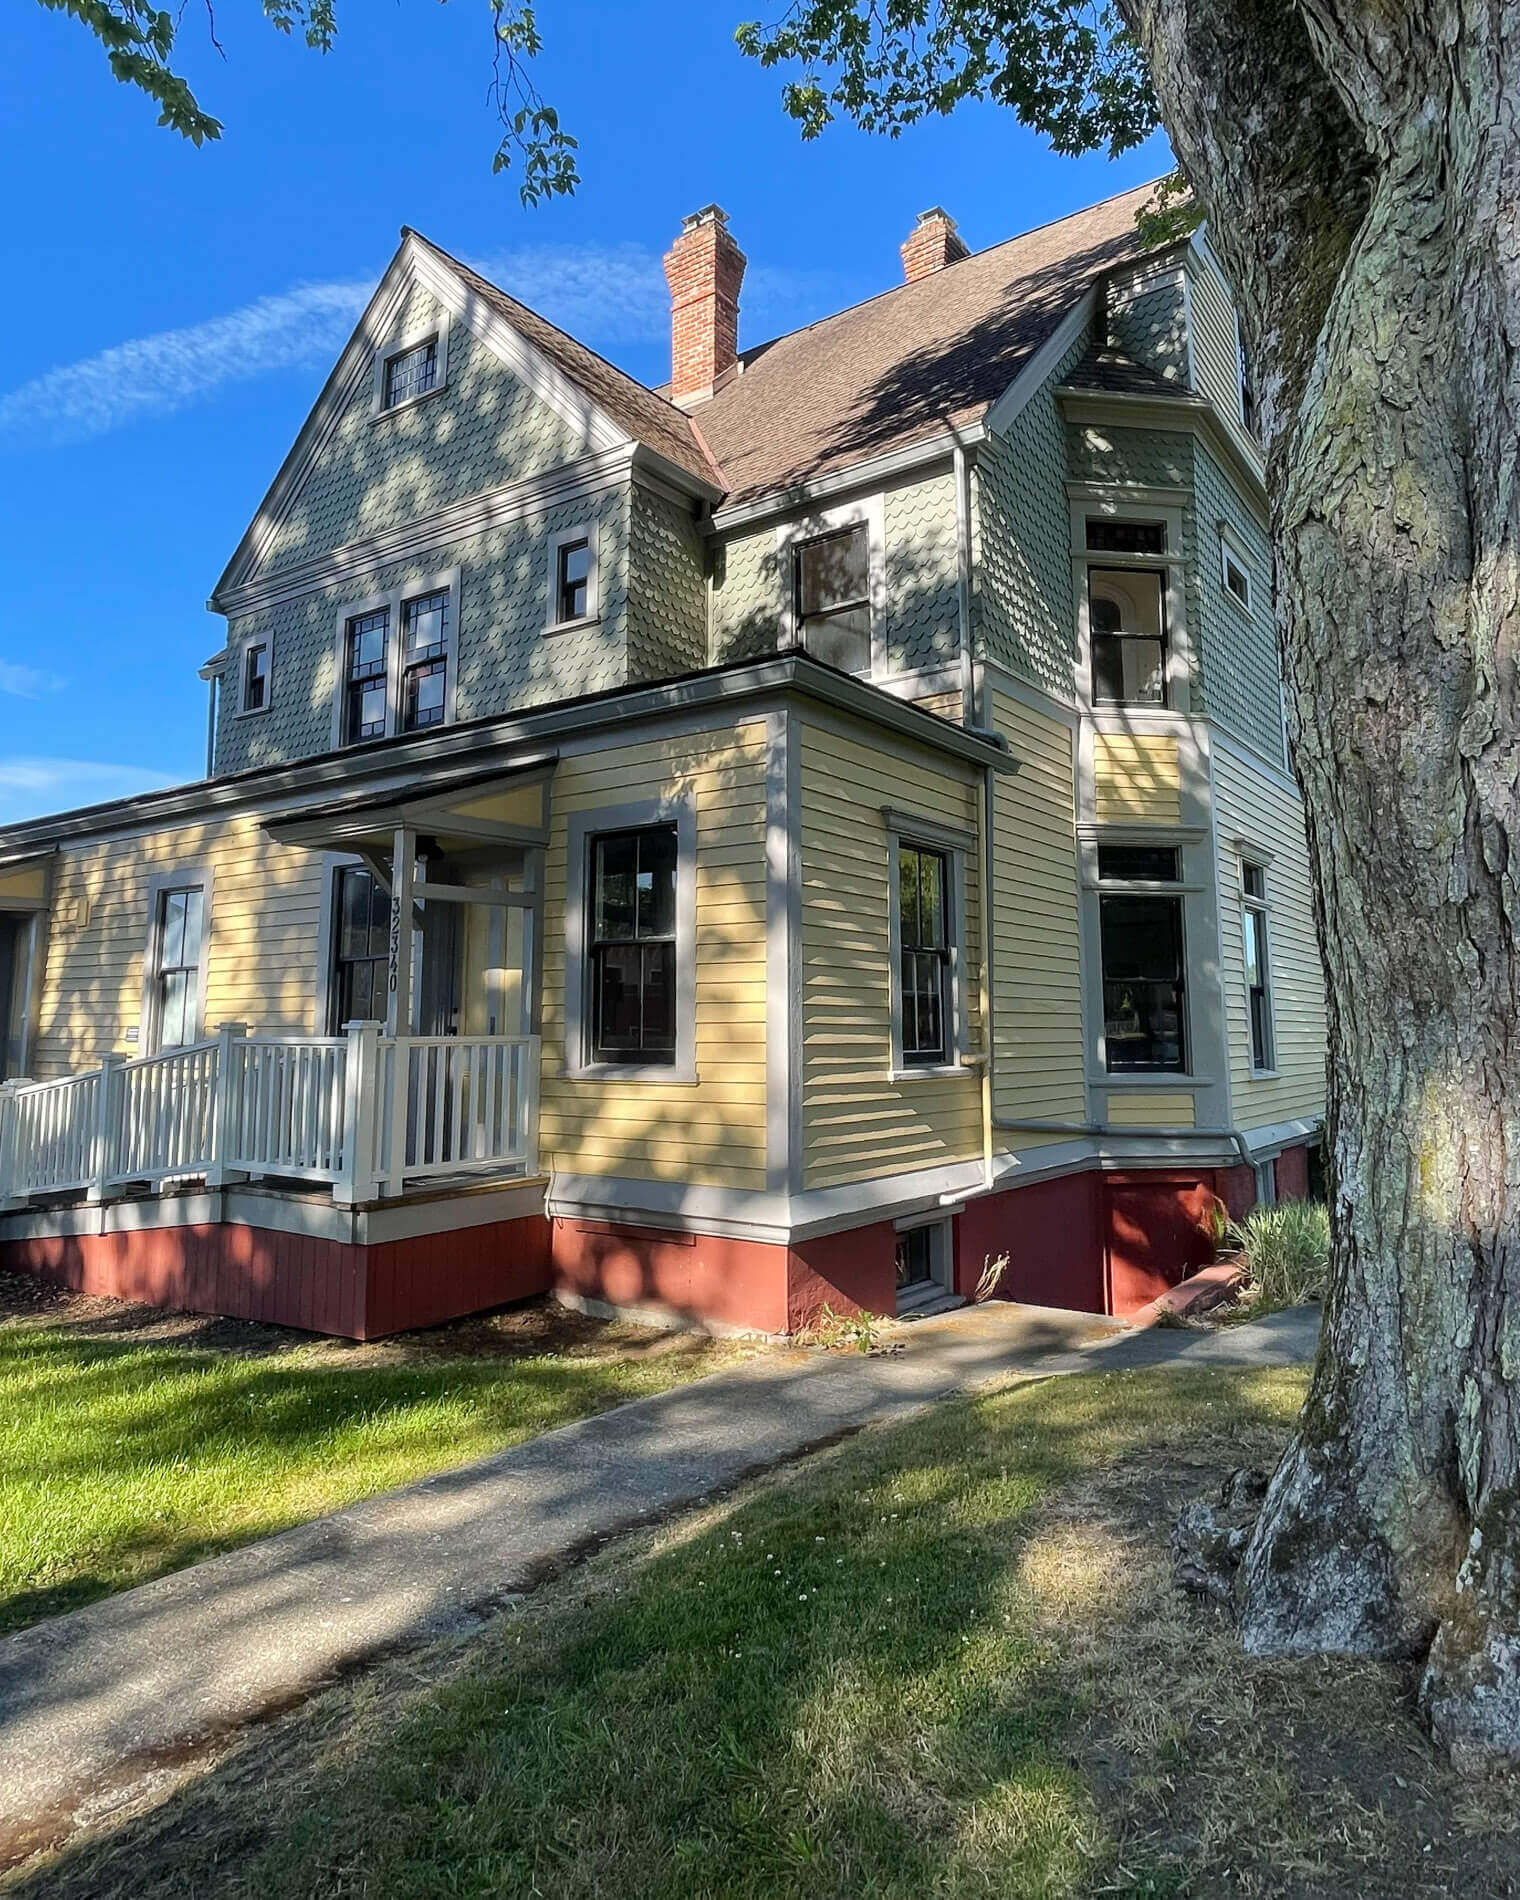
(358, 1293)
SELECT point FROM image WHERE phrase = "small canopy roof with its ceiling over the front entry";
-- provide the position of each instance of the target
(506, 805)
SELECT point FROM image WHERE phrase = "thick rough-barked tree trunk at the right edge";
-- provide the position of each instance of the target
(1361, 176)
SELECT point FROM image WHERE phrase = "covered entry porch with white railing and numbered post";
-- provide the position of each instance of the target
(428, 978)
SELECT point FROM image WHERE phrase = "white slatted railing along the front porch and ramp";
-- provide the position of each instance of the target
(362, 1112)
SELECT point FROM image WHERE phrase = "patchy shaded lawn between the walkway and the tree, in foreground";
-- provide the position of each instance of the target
(941, 1662)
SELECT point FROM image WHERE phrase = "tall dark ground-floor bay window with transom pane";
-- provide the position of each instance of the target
(1145, 962)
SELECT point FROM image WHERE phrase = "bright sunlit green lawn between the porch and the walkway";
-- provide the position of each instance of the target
(123, 1458)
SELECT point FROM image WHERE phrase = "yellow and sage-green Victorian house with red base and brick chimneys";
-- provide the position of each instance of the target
(784, 839)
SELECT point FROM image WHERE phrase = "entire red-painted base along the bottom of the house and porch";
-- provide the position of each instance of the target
(1099, 1244)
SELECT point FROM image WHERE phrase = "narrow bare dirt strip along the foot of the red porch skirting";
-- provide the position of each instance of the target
(531, 1329)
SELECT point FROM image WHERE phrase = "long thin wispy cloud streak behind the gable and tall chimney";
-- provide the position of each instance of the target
(607, 295)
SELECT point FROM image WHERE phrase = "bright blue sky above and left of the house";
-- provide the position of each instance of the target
(174, 311)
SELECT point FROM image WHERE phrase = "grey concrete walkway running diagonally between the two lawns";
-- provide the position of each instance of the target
(98, 1700)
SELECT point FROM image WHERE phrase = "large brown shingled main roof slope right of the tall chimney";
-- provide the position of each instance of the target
(913, 362)
